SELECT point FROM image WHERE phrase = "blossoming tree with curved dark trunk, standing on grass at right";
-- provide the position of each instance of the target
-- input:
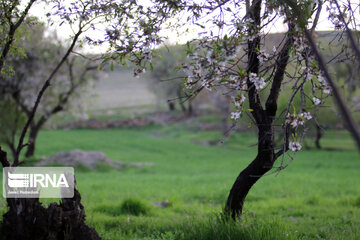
(232, 54)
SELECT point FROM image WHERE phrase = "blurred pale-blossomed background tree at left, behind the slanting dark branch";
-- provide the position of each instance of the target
(67, 89)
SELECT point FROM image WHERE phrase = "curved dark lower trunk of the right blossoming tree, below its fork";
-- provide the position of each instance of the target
(254, 171)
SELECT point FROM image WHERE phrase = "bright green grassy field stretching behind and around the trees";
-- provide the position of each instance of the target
(316, 197)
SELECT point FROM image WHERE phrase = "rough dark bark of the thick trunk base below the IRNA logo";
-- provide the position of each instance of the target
(28, 219)
